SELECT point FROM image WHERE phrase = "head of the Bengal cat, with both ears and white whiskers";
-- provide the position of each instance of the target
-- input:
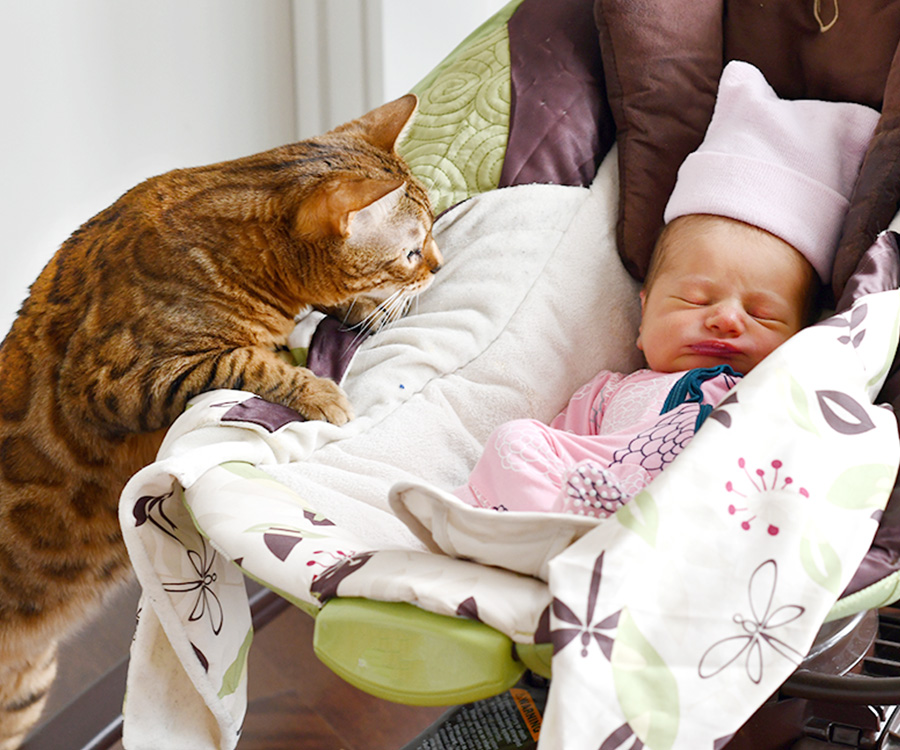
(374, 218)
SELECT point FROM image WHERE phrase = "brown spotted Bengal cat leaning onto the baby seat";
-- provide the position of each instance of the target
(188, 283)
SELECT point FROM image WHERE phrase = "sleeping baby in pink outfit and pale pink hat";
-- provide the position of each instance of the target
(752, 226)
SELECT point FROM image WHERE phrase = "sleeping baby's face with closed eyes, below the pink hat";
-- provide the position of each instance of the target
(725, 294)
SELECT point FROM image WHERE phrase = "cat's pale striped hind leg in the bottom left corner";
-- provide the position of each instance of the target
(24, 686)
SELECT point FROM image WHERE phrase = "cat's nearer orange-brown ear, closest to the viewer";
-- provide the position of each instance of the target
(332, 207)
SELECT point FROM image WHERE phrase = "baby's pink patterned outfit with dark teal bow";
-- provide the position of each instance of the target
(616, 434)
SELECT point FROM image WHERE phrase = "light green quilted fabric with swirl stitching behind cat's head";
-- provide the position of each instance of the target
(457, 141)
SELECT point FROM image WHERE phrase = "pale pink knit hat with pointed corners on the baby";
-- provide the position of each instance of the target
(786, 166)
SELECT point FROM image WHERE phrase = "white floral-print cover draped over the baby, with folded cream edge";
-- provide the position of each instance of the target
(684, 611)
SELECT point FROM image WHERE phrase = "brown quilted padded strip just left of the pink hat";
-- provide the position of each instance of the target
(662, 60)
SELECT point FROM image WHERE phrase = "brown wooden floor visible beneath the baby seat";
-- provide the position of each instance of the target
(295, 701)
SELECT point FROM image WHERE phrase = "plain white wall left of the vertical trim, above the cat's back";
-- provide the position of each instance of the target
(100, 94)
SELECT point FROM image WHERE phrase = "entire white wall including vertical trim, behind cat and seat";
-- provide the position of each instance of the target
(100, 94)
